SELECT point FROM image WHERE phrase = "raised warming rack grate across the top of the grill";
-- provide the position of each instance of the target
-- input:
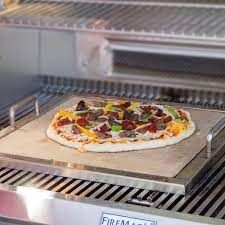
(165, 19)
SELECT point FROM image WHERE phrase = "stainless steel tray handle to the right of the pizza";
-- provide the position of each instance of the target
(213, 132)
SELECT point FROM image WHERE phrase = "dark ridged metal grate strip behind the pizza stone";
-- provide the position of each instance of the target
(203, 98)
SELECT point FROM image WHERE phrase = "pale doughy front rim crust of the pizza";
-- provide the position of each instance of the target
(122, 147)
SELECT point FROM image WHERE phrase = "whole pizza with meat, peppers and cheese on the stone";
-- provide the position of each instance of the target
(118, 125)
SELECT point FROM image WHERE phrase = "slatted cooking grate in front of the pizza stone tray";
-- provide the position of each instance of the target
(206, 199)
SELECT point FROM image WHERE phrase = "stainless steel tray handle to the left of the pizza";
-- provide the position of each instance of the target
(13, 108)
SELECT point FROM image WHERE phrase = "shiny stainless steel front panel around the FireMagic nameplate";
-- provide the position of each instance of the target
(47, 208)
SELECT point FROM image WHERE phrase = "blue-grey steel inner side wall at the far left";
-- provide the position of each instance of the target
(19, 52)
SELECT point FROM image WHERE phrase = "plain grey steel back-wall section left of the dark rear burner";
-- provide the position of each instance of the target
(57, 53)
